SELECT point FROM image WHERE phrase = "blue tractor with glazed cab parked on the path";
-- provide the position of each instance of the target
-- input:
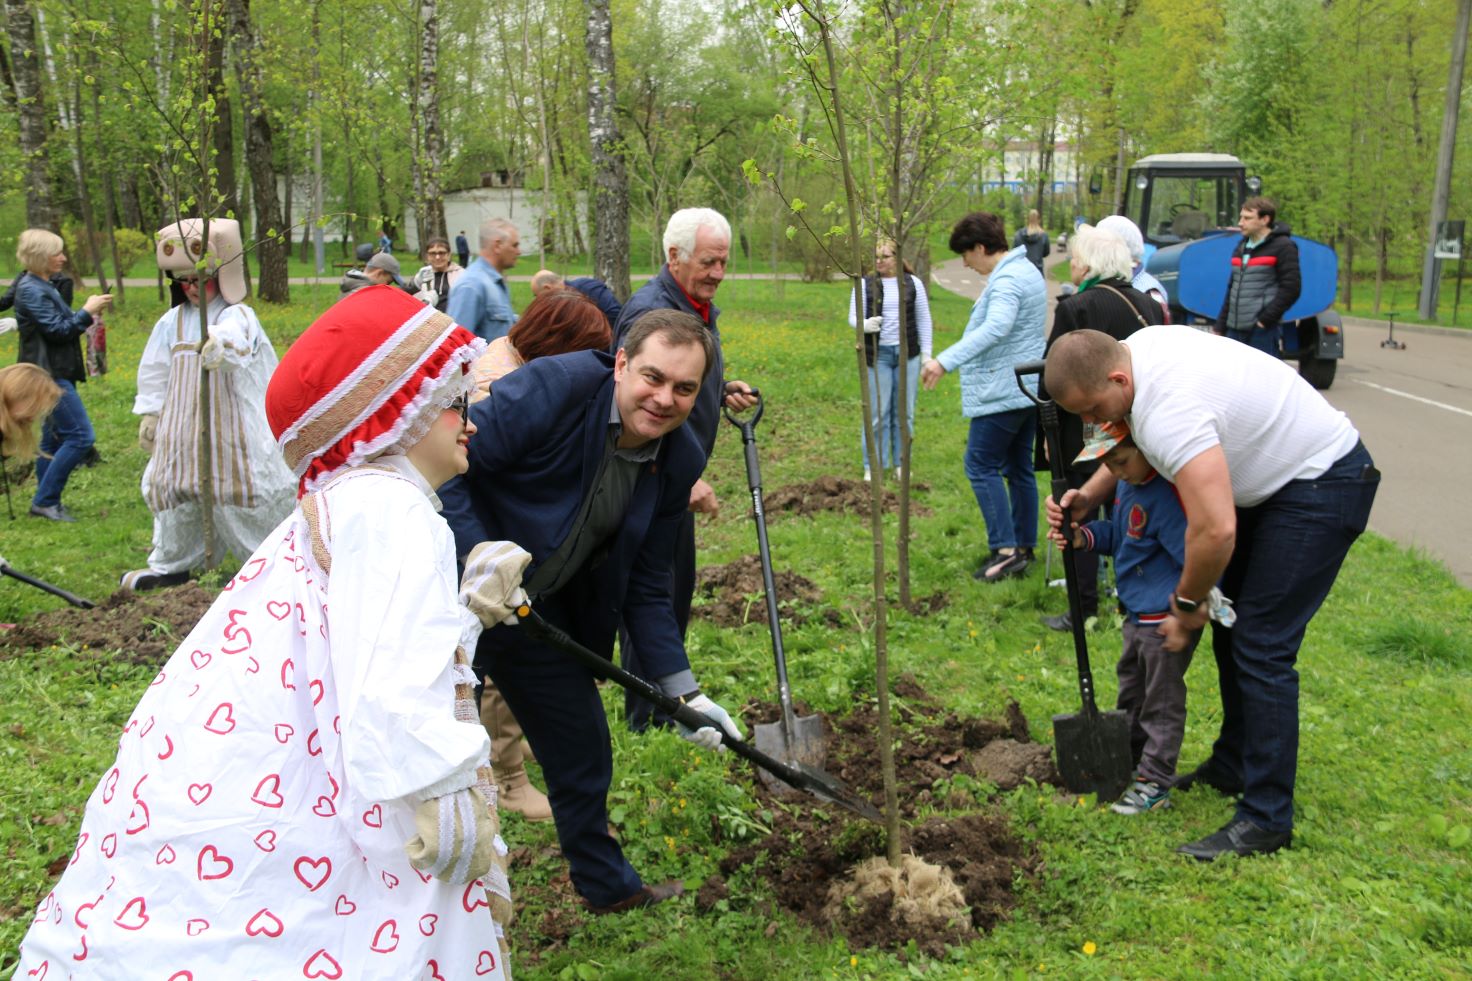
(1187, 207)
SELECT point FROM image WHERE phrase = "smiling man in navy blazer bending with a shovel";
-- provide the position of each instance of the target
(585, 462)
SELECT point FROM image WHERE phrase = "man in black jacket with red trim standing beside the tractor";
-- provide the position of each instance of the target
(1265, 278)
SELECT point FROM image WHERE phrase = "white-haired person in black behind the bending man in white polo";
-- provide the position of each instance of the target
(1100, 267)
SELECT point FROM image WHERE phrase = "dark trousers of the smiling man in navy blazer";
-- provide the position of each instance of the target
(557, 702)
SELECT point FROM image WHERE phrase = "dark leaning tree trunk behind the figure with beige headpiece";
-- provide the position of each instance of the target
(272, 242)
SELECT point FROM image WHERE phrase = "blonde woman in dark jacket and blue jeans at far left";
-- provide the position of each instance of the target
(51, 338)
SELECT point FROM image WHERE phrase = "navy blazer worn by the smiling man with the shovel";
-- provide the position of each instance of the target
(539, 440)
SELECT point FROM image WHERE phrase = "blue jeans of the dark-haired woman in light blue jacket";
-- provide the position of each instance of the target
(1000, 446)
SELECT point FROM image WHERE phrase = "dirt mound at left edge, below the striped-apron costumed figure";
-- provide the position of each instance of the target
(142, 627)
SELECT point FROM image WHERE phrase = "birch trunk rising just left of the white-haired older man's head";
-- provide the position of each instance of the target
(610, 177)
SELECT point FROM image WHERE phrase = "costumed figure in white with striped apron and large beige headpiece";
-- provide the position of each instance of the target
(252, 488)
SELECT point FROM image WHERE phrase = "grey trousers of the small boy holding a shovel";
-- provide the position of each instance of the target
(1153, 695)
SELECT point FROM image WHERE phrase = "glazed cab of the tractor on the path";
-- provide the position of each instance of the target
(1178, 198)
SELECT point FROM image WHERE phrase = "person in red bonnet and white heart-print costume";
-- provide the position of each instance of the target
(302, 790)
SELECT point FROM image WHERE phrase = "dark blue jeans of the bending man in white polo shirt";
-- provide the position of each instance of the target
(1289, 553)
